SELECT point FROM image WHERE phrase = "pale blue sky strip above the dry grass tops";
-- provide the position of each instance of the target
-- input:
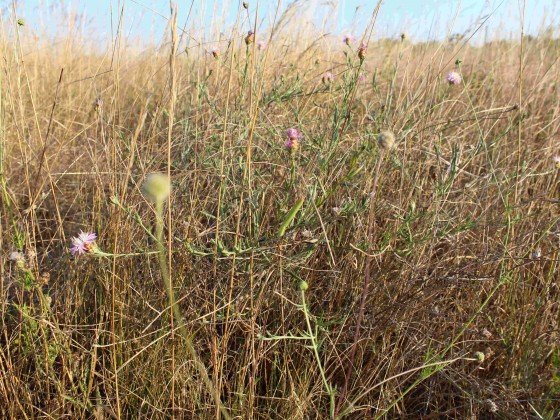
(422, 19)
